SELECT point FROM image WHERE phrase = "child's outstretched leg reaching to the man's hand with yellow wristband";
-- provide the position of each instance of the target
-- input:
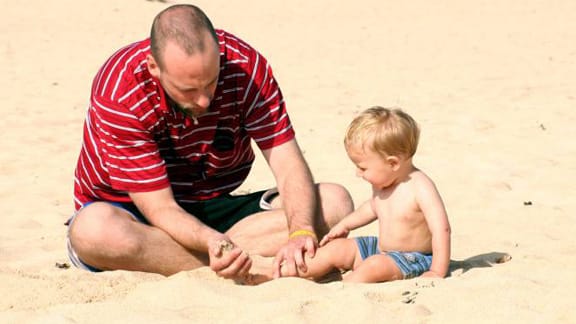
(339, 254)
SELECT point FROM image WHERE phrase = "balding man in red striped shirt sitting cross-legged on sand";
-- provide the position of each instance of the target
(167, 138)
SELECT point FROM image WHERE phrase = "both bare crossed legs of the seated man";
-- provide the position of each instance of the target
(106, 236)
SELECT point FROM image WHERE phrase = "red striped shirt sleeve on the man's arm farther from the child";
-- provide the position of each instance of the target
(127, 147)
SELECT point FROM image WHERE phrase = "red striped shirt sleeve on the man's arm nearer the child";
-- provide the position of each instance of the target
(267, 120)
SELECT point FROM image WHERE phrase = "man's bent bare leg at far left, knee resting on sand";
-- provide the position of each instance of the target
(106, 237)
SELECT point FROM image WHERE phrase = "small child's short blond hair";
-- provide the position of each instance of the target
(386, 131)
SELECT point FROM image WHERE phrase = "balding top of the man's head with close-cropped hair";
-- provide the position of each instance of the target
(185, 25)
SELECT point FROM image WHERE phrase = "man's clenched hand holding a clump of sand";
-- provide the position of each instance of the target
(227, 260)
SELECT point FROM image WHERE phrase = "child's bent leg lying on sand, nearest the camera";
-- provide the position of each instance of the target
(377, 268)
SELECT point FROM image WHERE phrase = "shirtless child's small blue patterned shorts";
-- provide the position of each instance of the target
(411, 264)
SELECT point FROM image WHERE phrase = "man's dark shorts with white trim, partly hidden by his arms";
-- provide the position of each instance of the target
(219, 213)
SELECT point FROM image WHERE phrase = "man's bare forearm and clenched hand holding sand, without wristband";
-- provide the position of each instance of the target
(162, 211)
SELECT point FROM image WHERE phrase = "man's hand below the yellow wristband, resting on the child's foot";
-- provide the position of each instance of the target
(290, 258)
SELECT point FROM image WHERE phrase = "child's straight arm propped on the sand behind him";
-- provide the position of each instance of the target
(431, 204)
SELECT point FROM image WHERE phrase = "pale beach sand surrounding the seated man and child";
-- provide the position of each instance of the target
(492, 85)
